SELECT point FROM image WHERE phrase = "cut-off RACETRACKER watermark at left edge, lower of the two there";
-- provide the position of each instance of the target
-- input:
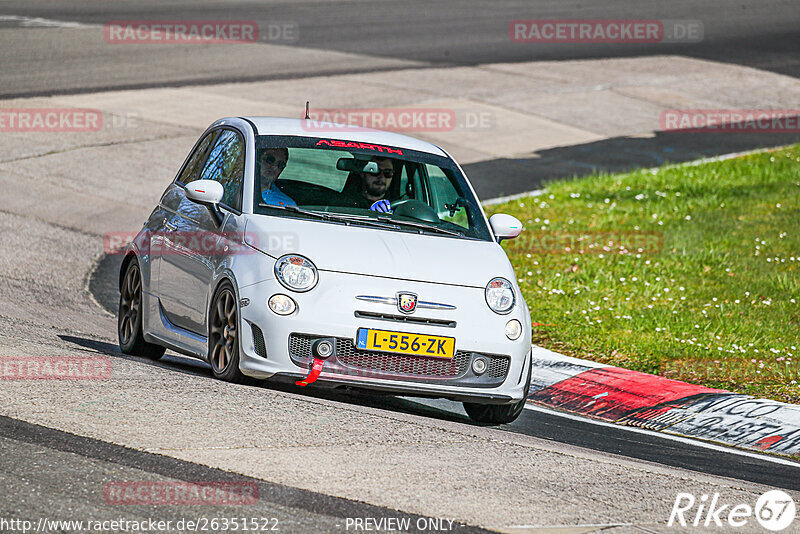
(55, 368)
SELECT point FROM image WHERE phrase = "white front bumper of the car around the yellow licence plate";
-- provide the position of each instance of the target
(276, 346)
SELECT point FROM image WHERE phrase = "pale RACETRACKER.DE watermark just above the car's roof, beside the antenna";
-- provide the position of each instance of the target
(395, 120)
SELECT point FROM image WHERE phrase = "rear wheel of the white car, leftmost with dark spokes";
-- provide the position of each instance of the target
(129, 316)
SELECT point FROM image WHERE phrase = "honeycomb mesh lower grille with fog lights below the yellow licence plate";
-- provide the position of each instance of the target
(365, 362)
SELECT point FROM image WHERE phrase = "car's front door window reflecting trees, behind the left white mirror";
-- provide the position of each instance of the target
(225, 165)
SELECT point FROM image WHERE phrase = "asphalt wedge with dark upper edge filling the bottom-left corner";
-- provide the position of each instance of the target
(53, 471)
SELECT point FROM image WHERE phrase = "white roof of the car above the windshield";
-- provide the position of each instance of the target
(329, 130)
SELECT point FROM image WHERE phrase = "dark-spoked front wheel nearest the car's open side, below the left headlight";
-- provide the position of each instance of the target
(223, 335)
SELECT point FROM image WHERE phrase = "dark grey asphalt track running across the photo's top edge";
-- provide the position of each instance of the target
(761, 34)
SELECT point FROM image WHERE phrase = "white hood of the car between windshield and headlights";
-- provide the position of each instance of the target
(378, 252)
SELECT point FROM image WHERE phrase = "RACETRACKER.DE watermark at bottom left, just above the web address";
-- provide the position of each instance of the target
(181, 493)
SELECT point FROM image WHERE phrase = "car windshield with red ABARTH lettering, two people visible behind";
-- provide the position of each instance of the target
(364, 184)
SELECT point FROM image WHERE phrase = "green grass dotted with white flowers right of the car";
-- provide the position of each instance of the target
(706, 287)
